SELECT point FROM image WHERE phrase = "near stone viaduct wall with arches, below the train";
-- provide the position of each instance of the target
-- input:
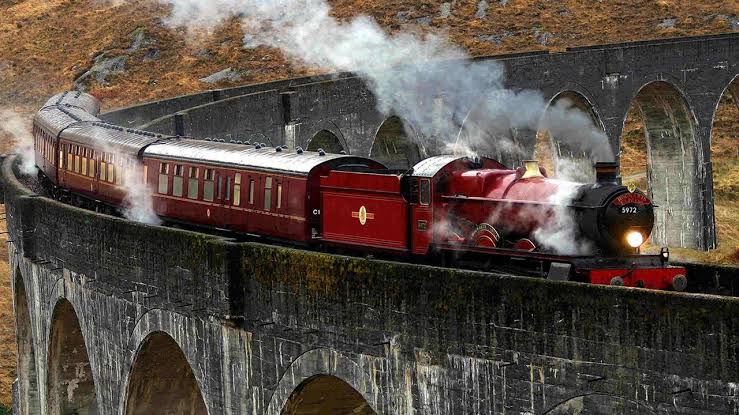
(116, 317)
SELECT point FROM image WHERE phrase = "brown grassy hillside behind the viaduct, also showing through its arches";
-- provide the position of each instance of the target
(125, 54)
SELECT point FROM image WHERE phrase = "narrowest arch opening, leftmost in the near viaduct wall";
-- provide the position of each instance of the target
(28, 386)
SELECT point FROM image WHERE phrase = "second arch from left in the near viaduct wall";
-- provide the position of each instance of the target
(71, 387)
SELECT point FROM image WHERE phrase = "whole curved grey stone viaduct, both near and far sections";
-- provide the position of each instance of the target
(115, 317)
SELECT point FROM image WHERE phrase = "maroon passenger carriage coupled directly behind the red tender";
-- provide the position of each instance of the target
(248, 189)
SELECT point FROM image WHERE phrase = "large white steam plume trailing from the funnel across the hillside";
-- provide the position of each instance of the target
(408, 73)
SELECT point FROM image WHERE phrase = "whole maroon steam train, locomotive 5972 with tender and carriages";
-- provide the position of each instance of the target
(450, 209)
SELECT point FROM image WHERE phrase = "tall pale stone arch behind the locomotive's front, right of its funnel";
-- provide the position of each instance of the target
(672, 176)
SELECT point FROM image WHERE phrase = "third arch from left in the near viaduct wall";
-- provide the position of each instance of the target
(161, 377)
